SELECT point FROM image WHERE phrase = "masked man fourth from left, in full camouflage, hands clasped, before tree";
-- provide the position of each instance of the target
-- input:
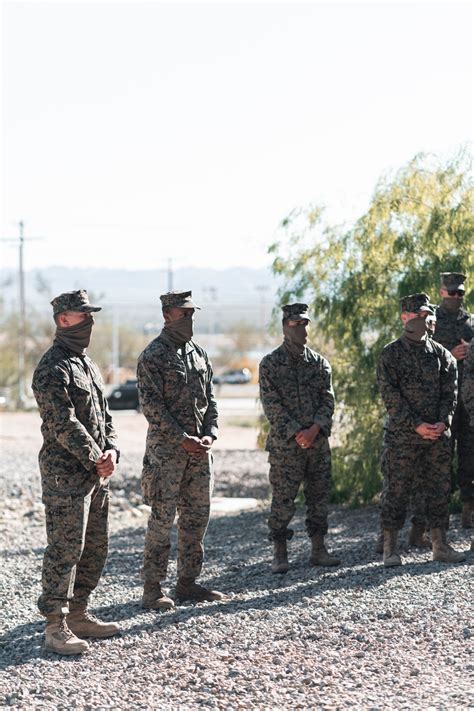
(417, 380)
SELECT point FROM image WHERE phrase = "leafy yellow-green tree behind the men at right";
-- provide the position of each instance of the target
(419, 223)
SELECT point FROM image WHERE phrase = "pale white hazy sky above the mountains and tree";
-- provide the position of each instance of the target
(138, 131)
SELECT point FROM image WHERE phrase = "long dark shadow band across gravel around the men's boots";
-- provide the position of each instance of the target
(238, 558)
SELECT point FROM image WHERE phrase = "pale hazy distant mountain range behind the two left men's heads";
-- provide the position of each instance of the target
(227, 295)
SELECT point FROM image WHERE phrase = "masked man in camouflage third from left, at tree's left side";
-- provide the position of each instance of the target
(298, 401)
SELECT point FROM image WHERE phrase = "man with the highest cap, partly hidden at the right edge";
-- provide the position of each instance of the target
(454, 330)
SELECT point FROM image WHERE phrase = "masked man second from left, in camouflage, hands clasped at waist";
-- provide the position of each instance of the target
(176, 394)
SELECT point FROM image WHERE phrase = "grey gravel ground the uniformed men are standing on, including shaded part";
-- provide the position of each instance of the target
(354, 636)
